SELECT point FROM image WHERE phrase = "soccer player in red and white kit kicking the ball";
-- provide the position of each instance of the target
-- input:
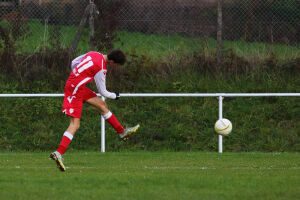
(86, 68)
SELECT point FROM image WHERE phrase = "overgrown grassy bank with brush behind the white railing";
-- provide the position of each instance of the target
(173, 124)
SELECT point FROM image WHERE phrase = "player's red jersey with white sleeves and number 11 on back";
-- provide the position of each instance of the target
(88, 67)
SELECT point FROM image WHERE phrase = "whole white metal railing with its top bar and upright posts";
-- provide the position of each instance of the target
(220, 96)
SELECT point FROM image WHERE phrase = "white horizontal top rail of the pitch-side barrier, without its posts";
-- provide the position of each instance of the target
(170, 95)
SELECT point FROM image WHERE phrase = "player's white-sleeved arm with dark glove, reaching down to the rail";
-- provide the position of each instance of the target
(100, 79)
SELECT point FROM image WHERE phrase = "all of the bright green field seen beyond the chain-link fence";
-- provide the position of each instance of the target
(153, 44)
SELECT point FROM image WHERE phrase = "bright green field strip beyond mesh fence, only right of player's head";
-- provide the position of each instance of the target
(163, 45)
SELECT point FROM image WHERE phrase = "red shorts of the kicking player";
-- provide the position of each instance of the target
(72, 104)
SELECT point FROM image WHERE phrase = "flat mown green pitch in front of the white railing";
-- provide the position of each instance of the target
(145, 175)
